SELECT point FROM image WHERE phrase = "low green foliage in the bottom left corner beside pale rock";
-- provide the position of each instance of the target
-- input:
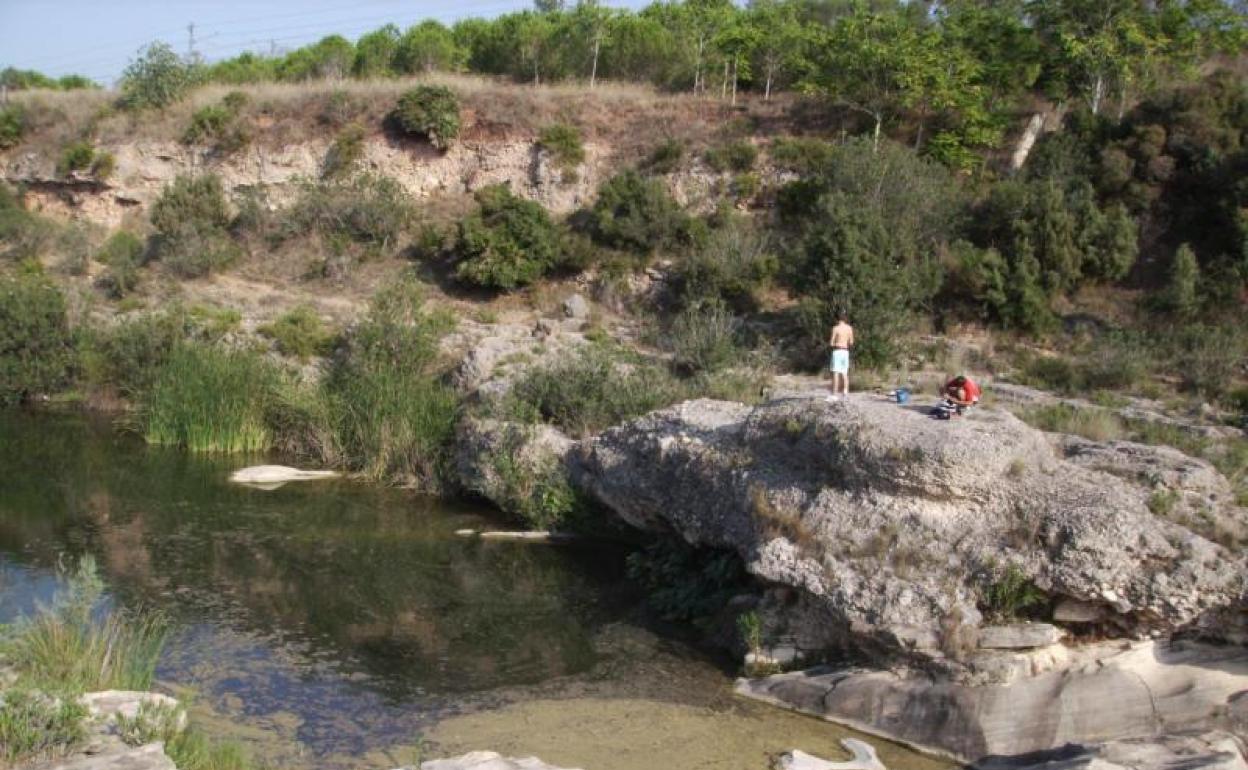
(36, 728)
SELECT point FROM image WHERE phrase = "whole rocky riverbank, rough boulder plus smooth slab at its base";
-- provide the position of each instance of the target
(1005, 591)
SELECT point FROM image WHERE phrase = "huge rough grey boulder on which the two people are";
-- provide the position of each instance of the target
(892, 525)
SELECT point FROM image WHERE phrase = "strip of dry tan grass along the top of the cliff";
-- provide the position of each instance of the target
(631, 118)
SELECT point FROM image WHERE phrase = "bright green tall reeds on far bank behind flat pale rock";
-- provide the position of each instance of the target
(208, 399)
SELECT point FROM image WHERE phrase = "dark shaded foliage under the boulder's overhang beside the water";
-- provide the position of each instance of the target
(685, 583)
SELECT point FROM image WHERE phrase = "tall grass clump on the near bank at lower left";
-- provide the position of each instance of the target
(73, 648)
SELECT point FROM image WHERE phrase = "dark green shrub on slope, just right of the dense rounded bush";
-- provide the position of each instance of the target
(637, 214)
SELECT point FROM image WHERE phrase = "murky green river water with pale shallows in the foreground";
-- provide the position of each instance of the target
(336, 625)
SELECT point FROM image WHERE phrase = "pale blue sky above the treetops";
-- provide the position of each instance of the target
(98, 38)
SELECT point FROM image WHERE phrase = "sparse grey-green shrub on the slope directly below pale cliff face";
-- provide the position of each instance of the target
(369, 210)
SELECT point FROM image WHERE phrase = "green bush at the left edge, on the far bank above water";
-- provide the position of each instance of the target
(37, 348)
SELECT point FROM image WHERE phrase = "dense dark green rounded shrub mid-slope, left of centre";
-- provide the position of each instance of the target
(507, 243)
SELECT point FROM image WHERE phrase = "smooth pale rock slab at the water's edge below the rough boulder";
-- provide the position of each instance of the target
(1146, 691)
